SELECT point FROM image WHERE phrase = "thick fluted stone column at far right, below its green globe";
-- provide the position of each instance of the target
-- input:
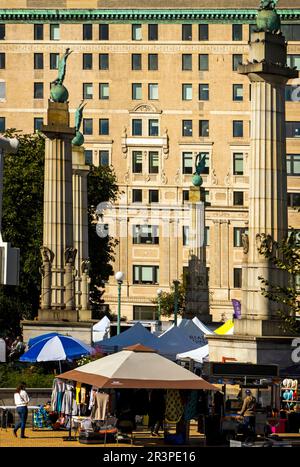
(267, 178)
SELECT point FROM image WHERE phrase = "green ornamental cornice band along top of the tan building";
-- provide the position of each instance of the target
(117, 16)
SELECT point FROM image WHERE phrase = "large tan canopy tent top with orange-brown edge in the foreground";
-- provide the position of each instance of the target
(136, 367)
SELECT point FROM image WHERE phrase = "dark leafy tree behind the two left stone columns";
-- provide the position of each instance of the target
(22, 225)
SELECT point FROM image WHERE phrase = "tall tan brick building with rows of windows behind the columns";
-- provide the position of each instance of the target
(161, 86)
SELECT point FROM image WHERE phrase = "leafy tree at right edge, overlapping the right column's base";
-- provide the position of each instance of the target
(285, 256)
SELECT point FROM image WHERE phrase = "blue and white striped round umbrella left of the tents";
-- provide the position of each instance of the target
(56, 348)
